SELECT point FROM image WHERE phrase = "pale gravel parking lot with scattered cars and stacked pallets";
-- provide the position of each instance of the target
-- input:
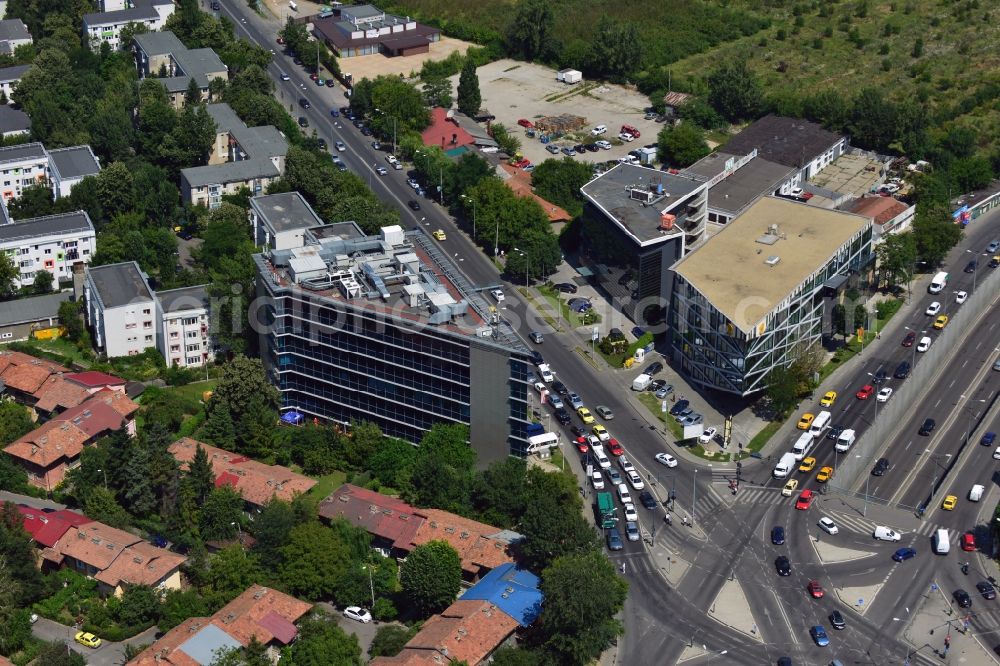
(513, 90)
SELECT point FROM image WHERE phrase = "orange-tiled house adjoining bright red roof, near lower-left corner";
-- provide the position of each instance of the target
(115, 558)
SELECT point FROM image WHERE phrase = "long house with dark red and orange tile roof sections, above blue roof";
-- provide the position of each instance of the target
(400, 527)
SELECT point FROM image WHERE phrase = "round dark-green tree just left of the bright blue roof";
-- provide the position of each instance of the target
(431, 577)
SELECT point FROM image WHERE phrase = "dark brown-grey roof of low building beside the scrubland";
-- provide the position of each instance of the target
(790, 141)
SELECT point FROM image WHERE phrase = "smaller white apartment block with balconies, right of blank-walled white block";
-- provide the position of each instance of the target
(182, 323)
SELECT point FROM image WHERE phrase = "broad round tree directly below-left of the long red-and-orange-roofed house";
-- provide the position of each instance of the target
(314, 561)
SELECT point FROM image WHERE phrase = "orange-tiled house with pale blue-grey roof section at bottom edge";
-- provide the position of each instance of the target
(261, 612)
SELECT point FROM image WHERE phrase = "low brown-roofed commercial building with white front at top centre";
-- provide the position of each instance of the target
(353, 30)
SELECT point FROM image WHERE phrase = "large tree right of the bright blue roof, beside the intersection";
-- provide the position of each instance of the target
(575, 586)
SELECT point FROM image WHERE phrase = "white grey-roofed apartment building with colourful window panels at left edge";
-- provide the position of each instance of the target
(53, 243)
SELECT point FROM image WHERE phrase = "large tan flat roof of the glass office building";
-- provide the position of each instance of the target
(730, 270)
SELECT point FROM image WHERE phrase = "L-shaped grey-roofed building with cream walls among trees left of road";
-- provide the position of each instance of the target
(241, 157)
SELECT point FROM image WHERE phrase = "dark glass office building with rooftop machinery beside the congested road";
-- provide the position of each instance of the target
(386, 329)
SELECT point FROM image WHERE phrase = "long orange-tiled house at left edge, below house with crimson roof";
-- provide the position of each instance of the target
(48, 451)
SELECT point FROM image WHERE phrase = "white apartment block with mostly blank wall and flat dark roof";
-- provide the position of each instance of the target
(119, 308)
